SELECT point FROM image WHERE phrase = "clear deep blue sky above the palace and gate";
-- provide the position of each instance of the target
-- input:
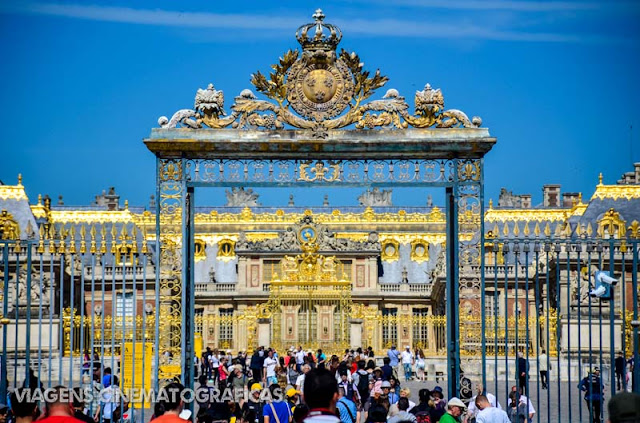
(83, 83)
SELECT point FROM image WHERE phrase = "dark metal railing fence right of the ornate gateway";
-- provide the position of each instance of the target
(549, 282)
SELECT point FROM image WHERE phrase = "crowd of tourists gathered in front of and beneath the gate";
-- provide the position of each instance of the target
(301, 386)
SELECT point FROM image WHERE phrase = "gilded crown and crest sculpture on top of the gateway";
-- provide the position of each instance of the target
(318, 90)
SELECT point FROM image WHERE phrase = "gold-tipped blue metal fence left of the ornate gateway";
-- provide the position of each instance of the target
(74, 309)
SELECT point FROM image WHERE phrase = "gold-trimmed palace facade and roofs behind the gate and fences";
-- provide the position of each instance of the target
(371, 274)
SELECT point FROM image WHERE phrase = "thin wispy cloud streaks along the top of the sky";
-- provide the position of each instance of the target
(451, 28)
